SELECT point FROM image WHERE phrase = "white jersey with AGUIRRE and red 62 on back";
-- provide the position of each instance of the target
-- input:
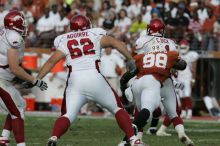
(82, 48)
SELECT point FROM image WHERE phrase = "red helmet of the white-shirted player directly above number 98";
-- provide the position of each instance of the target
(156, 28)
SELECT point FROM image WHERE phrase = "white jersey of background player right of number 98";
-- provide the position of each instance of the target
(189, 57)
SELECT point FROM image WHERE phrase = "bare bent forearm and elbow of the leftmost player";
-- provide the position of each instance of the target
(14, 66)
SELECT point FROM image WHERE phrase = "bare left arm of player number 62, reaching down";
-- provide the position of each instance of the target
(51, 62)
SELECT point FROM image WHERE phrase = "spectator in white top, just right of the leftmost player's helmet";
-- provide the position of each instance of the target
(45, 30)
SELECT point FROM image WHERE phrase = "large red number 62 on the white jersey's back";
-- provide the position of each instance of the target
(76, 52)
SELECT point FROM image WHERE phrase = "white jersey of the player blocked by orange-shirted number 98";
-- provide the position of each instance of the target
(146, 43)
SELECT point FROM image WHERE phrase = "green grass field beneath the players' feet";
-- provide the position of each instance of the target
(104, 132)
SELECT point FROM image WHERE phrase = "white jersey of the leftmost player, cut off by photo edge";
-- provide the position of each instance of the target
(9, 39)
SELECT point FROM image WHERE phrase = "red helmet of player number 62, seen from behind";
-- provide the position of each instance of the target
(80, 22)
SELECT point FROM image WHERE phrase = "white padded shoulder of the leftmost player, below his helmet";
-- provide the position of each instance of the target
(14, 39)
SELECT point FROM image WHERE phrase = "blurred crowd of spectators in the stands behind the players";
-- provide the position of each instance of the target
(195, 20)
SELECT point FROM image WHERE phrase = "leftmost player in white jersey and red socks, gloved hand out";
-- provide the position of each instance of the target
(11, 53)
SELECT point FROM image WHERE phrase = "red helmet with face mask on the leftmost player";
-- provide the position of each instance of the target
(15, 20)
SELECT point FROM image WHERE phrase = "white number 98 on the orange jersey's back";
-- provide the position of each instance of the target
(158, 60)
